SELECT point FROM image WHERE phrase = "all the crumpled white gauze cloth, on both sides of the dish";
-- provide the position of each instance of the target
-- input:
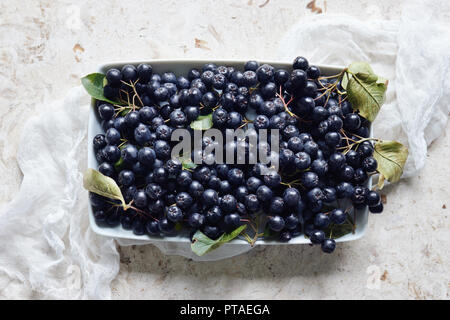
(46, 245)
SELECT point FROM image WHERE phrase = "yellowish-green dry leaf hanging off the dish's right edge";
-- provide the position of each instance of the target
(391, 157)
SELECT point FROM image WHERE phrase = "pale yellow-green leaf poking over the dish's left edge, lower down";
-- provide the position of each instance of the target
(103, 185)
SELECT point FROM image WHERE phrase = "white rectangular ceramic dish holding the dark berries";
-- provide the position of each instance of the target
(181, 67)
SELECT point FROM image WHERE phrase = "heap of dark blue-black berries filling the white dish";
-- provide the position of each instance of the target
(324, 154)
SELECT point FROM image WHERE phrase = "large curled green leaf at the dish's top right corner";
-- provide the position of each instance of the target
(365, 90)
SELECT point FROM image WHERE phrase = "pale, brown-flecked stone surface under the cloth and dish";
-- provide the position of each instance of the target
(46, 46)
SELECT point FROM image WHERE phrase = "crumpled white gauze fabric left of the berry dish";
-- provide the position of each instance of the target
(46, 244)
